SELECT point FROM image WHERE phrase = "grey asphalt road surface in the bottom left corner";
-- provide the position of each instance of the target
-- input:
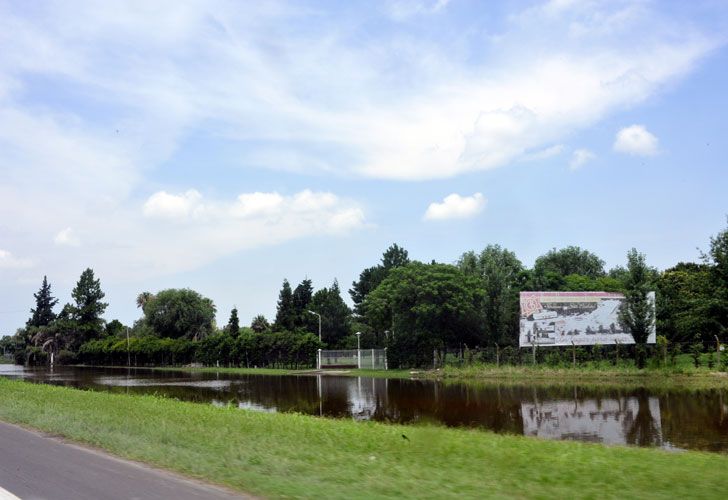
(38, 466)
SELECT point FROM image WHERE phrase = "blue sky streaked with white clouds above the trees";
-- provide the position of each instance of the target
(224, 146)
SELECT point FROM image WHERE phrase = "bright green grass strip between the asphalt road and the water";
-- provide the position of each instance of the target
(289, 455)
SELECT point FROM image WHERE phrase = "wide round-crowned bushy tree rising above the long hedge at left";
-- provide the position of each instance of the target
(180, 313)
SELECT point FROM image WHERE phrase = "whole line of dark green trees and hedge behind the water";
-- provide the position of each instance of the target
(410, 307)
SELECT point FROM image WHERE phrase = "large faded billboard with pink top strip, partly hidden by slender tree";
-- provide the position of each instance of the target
(584, 318)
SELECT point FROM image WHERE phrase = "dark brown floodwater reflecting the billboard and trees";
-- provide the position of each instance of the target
(673, 419)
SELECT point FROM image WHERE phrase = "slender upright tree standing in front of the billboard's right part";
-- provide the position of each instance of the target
(637, 312)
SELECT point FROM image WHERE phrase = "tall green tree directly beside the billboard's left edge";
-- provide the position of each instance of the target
(499, 272)
